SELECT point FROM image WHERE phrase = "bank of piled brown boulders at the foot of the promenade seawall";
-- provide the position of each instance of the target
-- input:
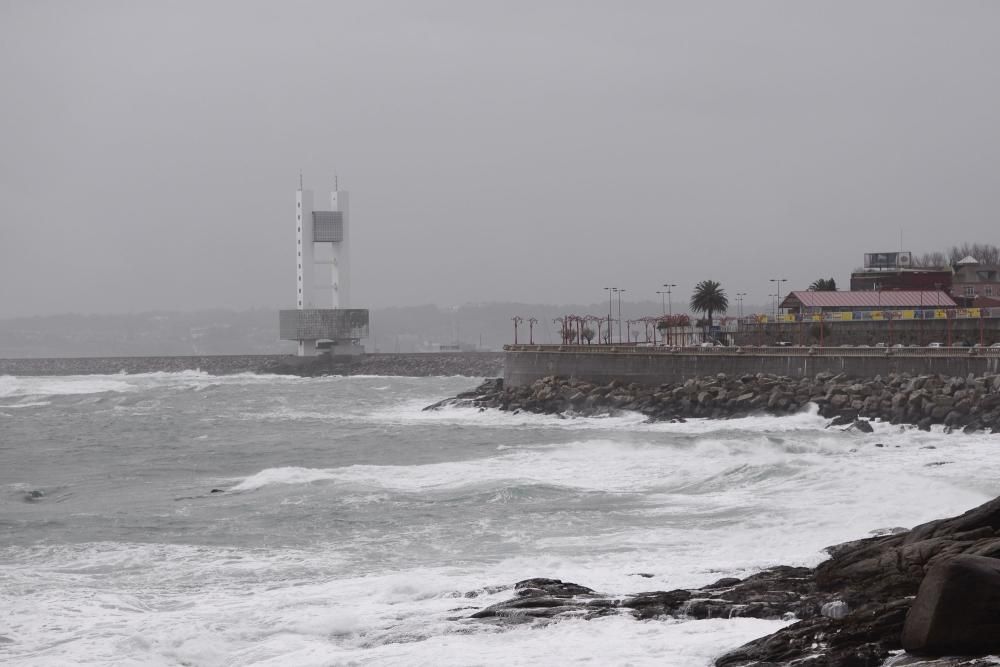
(969, 404)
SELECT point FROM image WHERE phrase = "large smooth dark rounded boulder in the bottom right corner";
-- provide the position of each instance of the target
(957, 609)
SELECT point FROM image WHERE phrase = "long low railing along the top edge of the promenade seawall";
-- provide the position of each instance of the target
(750, 350)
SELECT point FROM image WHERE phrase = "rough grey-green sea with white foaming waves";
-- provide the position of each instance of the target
(190, 519)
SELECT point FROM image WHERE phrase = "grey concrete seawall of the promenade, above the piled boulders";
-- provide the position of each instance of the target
(652, 366)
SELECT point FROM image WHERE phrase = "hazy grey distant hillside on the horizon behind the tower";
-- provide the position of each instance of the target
(208, 332)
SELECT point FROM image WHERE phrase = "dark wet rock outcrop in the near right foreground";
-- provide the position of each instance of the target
(850, 610)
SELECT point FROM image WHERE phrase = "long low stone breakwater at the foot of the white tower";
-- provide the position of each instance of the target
(471, 364)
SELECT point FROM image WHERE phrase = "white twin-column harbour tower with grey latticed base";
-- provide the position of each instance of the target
(323, 320)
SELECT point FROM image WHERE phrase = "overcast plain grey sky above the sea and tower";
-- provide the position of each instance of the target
(495, 151)
